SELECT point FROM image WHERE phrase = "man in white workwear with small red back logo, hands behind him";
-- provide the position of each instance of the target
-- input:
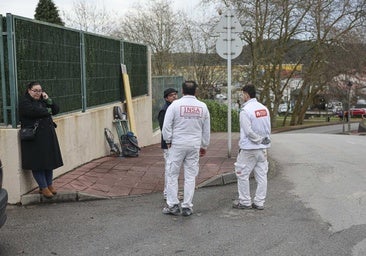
(255, 129)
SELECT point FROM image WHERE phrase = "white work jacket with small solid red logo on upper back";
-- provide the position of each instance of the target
(255, 125)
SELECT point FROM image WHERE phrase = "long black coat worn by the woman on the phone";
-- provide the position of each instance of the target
(42, 153)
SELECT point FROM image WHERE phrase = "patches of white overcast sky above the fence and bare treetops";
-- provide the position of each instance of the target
(26, 8)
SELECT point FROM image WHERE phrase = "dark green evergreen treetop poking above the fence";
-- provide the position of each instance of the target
(47, 11)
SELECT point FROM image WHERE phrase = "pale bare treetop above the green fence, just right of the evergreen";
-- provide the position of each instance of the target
(88, 17)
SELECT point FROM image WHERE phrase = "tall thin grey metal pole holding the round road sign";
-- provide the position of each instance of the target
(229, 83)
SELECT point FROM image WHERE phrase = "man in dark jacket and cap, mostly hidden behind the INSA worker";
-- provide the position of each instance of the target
(170, 95)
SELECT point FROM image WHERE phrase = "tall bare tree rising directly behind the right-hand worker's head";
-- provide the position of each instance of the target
(271, 30)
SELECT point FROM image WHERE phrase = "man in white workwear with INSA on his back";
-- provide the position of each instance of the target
(186, 131)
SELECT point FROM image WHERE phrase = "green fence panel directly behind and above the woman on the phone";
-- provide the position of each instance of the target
(50, 55)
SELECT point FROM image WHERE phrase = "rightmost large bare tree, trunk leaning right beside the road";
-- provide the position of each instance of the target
(328, 24)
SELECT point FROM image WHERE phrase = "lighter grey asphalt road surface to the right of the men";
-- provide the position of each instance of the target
(328, 175)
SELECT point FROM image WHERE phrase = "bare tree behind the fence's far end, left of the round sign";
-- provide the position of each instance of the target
(158, 26)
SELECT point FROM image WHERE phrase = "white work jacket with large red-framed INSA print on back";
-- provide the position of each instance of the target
(187, 123)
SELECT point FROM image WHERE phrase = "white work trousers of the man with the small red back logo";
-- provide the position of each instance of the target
(246, 162)
